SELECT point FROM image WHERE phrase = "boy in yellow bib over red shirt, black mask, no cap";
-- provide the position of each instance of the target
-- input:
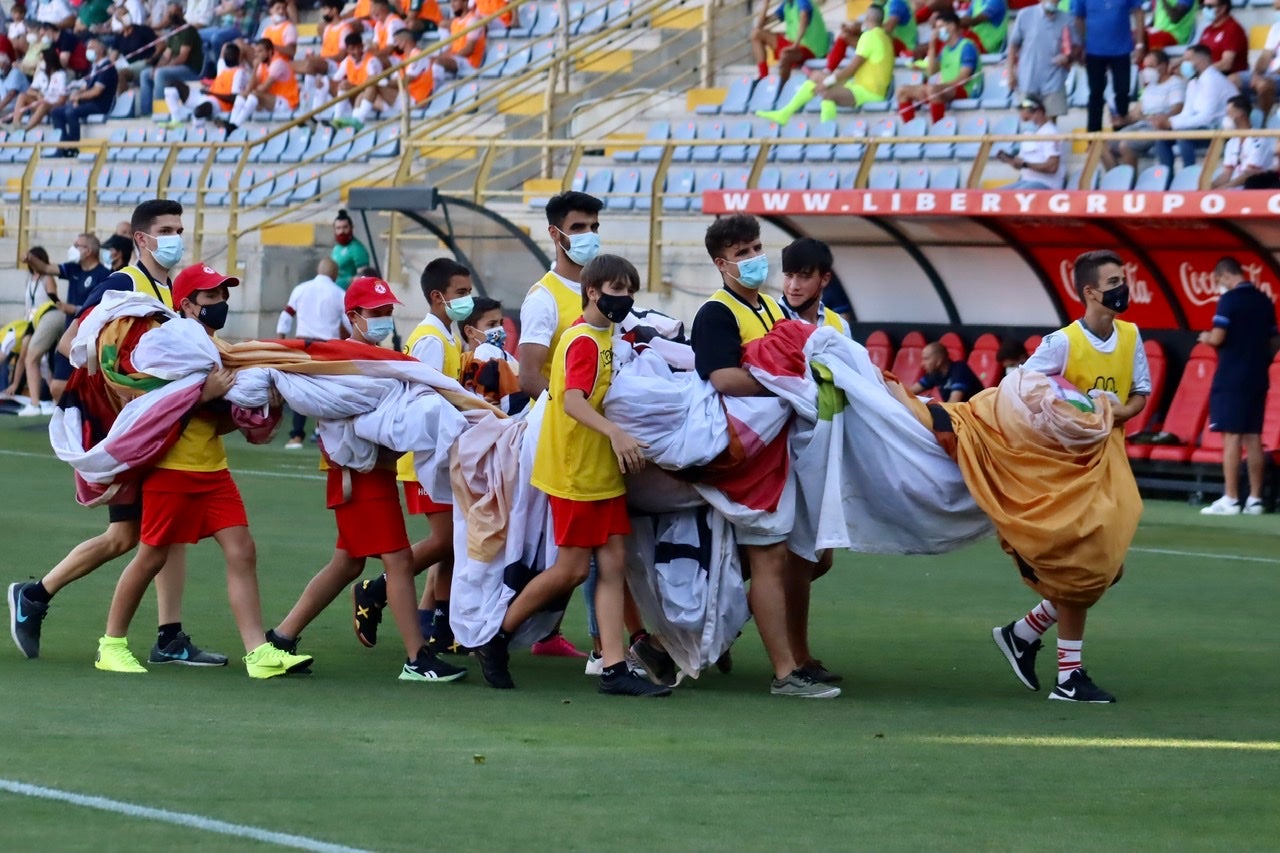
(582, 458)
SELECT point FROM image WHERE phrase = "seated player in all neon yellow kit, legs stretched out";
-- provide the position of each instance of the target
(866, 80)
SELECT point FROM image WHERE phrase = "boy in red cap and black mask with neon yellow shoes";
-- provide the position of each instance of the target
(191, 496)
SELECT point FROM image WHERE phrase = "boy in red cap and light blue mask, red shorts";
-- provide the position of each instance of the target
(371, 521)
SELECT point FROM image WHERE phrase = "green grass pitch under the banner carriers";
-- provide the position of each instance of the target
(934, 746)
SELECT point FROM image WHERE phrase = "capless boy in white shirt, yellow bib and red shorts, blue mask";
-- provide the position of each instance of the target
(447, 288)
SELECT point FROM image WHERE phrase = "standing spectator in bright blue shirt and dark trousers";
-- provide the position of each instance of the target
(1109, 30)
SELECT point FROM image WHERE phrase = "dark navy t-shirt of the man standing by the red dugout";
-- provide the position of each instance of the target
(1250, 320)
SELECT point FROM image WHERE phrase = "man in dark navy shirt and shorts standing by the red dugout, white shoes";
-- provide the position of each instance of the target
(1246, 336)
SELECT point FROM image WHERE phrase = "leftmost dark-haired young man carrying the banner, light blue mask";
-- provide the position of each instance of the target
(157, 227)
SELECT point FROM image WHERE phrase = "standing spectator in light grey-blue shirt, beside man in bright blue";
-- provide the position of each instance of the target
(1041, 45)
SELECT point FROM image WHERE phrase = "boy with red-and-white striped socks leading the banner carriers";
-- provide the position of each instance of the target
(1101, 355)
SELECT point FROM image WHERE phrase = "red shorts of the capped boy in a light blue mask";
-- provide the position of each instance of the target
(371, 522)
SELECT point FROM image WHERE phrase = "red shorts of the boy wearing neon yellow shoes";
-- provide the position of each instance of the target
(189, 507)
